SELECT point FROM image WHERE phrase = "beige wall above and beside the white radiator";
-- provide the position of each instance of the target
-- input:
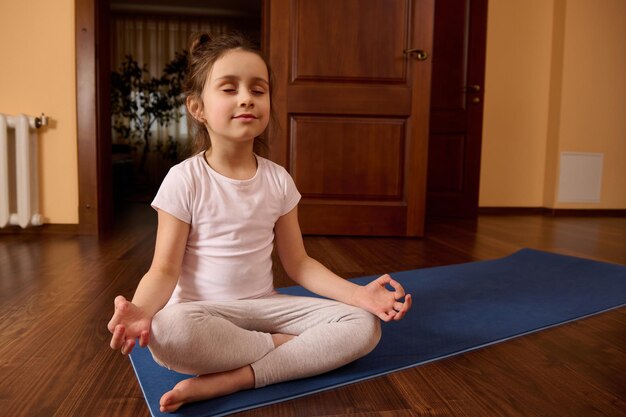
(38, 36)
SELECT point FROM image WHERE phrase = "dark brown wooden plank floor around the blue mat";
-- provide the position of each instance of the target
(56, 296)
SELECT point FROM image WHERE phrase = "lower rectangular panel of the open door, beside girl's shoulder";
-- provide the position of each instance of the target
(366, 153)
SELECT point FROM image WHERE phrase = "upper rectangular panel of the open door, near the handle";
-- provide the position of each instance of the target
(319, 25)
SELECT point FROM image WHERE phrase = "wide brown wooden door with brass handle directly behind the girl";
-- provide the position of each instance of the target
(352, 108)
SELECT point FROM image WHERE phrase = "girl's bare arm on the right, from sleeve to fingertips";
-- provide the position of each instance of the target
(312, 275)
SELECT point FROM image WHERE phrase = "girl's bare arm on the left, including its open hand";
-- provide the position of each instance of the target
(132, 320)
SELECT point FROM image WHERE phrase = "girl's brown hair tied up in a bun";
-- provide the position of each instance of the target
(204, 51)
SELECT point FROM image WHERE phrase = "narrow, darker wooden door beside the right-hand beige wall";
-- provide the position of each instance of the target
(456, 112)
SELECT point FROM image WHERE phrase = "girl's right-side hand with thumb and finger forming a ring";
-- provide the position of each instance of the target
(377, 299)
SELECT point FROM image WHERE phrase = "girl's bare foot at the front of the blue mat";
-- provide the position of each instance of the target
(208, 386)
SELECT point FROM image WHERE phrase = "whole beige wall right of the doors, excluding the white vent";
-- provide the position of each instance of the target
(554, 83)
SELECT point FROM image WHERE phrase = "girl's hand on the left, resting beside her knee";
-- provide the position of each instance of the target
(128, 323)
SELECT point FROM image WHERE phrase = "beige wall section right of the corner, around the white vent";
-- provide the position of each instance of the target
(593, 100)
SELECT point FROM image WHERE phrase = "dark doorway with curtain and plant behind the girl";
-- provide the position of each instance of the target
(154, 34)
